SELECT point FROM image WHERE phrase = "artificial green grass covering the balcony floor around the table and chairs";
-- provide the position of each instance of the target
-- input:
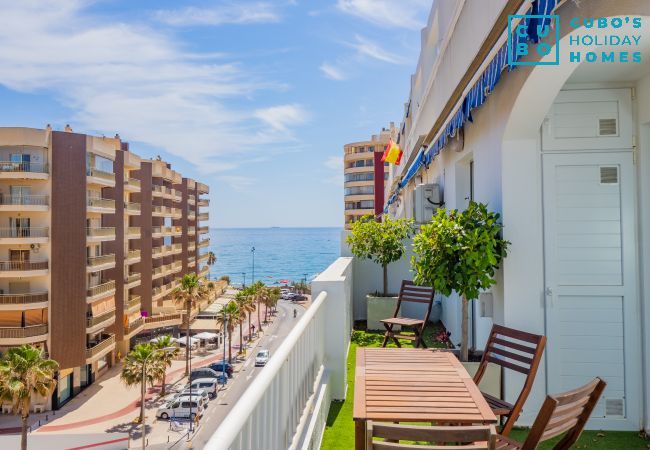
(339, 432)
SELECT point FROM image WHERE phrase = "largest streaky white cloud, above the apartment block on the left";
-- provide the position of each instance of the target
(132, 79)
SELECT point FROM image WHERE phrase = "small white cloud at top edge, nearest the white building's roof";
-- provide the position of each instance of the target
(411, 14)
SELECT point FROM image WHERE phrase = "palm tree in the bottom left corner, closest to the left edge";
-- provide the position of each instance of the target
(24, 371)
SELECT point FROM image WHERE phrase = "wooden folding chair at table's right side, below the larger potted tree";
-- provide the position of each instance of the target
(515, 350)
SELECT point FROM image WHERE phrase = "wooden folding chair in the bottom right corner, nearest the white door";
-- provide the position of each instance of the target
(561, 413)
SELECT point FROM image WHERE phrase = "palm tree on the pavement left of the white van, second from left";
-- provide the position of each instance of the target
(142, 362)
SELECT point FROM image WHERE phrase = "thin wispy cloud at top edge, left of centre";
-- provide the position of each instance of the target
(229, 13)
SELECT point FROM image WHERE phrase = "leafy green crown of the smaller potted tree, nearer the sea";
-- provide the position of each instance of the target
(381, 242)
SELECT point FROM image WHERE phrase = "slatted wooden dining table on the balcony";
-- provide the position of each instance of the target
(414, 385)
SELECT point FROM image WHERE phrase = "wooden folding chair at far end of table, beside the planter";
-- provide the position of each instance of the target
(410, 292)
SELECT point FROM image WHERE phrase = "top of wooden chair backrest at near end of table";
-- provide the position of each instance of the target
(478, 437)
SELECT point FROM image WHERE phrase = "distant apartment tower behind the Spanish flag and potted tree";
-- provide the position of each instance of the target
(364, 176)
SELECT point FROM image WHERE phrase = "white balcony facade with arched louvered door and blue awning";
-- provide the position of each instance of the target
(563, 153)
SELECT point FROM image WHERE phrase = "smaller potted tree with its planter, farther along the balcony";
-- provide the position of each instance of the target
(382, 243)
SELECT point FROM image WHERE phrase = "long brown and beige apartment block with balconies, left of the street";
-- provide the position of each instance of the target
(94, 239)
